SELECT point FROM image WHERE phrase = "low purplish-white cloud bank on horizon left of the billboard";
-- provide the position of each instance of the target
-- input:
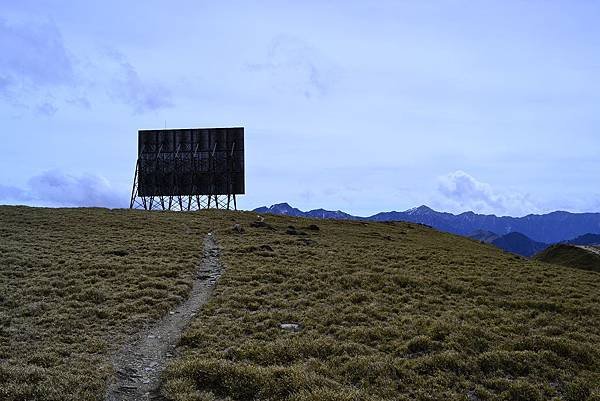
(55, 188)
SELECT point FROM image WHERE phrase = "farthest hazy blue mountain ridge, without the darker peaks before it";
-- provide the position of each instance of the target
(547, 228)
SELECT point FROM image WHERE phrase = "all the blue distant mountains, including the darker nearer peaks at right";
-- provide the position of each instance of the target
(525, 236)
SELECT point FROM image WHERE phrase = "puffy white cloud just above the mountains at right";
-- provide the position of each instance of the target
(461, 191)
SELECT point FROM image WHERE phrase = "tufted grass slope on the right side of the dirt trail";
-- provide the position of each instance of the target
(388, 312)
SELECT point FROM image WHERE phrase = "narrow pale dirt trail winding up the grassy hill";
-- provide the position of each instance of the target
(139, 364)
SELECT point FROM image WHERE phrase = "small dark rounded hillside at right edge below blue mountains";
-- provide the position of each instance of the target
(578, 256)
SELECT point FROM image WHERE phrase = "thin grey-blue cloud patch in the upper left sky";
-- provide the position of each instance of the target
(38, 72)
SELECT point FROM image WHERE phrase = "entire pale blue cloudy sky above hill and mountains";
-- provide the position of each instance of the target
(490, 106)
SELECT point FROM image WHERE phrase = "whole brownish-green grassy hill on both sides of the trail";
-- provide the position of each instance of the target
(386, 311)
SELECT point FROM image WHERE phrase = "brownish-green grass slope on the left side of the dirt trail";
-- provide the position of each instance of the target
(74, 282)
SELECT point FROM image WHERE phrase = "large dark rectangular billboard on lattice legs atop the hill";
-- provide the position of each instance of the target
(174, 171)
